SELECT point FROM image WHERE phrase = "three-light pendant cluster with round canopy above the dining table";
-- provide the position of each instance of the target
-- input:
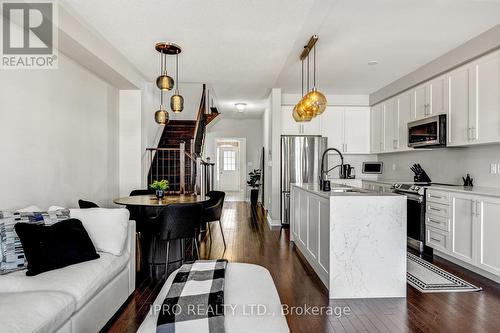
(165, 83)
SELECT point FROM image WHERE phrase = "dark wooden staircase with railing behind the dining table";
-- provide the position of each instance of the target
(176, 158)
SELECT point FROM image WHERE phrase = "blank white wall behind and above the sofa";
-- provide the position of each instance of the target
(58, 137)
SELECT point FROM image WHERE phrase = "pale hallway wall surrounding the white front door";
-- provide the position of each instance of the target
(250, 129)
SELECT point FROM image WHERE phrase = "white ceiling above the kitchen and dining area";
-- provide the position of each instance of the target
(245, 47)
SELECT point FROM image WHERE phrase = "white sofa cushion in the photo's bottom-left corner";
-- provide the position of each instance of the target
(41, 311)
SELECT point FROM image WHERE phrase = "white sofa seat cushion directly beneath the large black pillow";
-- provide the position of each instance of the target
(82, 281)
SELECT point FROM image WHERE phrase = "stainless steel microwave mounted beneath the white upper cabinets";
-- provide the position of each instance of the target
(428, 132)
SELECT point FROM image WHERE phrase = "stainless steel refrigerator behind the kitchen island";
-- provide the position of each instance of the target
(300, 163)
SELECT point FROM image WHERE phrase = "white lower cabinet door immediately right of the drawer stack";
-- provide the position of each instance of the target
(462, 226)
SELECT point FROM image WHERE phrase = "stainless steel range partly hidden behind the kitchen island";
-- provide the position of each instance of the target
(415, 194)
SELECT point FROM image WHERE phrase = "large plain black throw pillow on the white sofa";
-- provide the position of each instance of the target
(49, 247)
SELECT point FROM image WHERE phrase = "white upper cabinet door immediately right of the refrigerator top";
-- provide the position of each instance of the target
(332, 126)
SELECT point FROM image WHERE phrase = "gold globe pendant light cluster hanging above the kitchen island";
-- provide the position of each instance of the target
(313, 103)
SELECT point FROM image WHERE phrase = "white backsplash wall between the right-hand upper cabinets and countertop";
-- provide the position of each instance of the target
(446, 165)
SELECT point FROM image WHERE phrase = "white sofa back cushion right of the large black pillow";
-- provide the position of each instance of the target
(107, 227)
